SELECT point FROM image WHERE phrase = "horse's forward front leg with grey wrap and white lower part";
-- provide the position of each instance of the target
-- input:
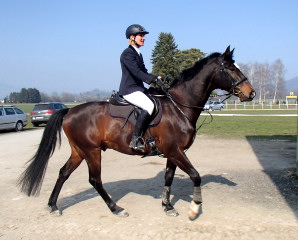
(185, 165)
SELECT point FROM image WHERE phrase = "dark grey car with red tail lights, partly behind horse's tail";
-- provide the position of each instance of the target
(42, 112)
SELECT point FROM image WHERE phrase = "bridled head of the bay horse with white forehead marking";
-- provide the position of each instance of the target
(232, 79)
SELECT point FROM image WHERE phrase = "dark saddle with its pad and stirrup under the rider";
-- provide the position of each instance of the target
(120, 108)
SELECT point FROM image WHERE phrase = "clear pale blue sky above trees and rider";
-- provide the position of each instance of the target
(74, 46)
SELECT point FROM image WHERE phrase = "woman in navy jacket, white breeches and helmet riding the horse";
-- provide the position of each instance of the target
(134, 73)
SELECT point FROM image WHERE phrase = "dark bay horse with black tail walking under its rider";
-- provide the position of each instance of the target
(90, 129)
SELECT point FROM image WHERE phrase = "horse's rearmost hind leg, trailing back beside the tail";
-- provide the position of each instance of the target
(64, 173)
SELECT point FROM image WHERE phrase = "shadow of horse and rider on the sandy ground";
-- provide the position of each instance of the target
(182, 189)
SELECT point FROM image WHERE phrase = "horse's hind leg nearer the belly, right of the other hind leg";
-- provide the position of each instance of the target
(94, 165)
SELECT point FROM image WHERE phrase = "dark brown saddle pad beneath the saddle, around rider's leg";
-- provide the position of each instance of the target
(125, 110)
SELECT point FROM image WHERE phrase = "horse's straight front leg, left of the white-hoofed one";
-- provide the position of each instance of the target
(166, 202)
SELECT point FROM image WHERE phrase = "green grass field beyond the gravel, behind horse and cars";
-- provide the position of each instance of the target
(258, 127)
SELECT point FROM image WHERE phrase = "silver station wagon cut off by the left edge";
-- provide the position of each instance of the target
(12, 117)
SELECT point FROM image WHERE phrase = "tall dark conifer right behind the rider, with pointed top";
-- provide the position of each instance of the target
(164, 56)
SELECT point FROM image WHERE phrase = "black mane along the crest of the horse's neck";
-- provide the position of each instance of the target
(191, 72)
